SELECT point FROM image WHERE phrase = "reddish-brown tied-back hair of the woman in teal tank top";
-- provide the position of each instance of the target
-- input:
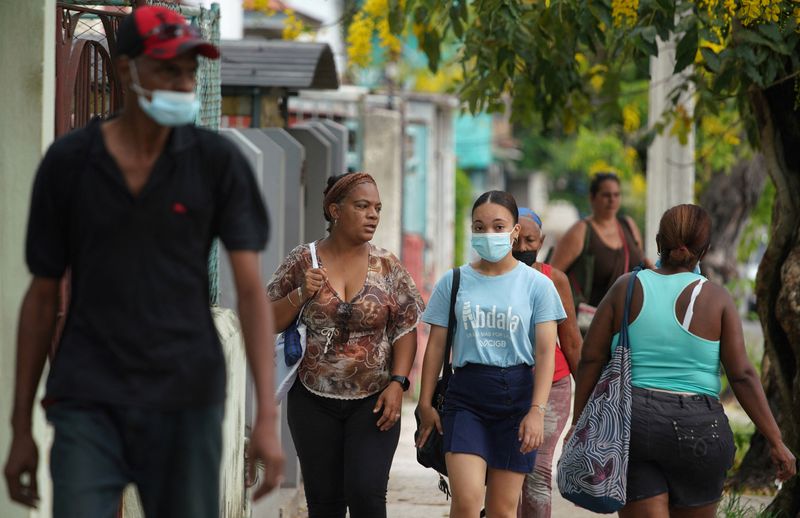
(683, 234)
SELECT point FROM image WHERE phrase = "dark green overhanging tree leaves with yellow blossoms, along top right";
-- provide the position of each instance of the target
(529, 50)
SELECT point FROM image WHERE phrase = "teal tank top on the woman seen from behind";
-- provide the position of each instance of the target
(664, 355)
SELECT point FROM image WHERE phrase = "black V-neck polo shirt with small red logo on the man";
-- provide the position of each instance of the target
(139, 329)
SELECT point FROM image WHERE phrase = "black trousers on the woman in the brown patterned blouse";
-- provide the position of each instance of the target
(344, 457)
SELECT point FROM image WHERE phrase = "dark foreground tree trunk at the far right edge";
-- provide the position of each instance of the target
(778, 280)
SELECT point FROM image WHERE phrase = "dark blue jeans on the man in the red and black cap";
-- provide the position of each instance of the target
(173, 457)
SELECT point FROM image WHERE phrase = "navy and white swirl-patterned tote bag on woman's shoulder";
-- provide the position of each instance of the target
(593, 470)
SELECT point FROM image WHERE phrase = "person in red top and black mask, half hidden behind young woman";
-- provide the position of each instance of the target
(538, 486)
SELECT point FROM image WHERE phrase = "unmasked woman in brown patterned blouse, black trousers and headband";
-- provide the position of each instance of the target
(361, 309)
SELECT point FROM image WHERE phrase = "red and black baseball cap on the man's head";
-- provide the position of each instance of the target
(160, 33)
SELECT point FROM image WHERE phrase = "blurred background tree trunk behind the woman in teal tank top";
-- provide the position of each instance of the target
(729, 199)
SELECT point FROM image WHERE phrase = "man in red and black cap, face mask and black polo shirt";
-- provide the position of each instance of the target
(131, 206)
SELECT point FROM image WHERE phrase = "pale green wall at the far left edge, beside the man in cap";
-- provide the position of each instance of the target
(27, 103)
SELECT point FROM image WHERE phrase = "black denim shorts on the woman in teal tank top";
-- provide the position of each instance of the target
(680, 445)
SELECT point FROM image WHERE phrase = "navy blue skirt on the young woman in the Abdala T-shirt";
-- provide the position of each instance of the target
(483, 408)
